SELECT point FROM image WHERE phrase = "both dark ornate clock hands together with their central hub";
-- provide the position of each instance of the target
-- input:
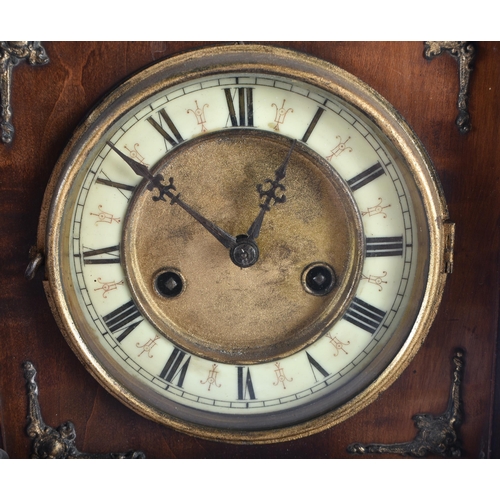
(243, 249)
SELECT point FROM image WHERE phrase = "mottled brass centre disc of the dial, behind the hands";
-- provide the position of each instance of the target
(226, 313)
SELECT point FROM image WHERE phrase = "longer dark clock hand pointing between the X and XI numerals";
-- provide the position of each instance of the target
(155, 181)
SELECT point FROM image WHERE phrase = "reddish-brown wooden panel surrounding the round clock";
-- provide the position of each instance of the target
(49, 101)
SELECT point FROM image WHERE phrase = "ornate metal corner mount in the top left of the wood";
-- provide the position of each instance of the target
(11, 54)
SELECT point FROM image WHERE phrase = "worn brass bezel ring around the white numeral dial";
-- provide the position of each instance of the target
(262, 59)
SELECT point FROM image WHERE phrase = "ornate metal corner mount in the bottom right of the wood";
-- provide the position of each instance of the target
(436, 435)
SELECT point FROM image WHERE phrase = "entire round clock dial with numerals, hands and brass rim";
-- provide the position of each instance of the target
(243, 250)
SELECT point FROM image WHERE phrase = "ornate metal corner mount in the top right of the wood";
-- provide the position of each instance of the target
(464, 53)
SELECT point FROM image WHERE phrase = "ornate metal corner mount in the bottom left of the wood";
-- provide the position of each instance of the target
(60, 442)
